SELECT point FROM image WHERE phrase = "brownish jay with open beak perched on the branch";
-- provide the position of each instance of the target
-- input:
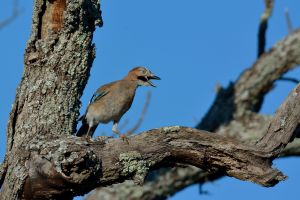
(111, 101)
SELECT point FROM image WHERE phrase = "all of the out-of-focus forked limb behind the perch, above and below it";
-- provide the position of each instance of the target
(223, 118)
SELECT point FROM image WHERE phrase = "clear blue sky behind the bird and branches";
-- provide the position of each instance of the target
(192, 45)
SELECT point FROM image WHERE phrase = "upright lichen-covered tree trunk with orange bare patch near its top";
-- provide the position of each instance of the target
(58, 58)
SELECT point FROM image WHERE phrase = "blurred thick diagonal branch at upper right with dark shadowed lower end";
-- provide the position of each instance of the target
(248, 92)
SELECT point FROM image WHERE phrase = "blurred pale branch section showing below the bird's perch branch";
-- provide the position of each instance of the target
(161, 187)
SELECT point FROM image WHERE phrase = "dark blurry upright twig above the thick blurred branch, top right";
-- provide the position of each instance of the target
(263, 25)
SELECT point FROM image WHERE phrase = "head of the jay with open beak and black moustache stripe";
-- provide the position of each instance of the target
(142, 75)
